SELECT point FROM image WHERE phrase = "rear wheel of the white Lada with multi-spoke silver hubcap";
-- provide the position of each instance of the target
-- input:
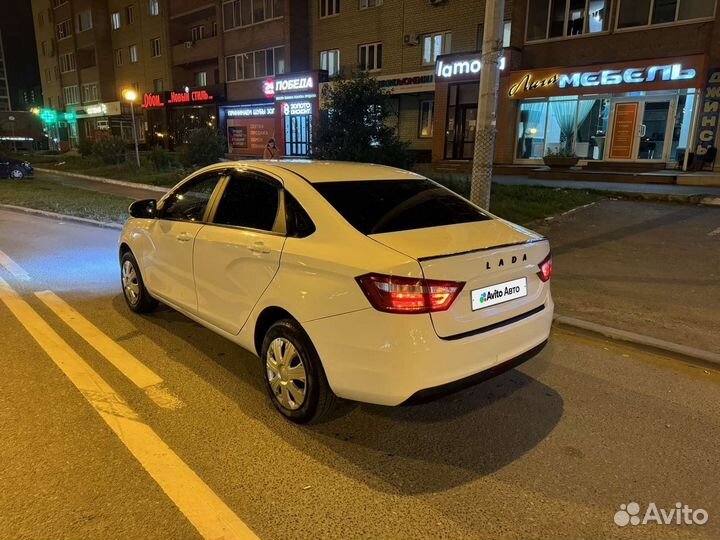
(284, 369)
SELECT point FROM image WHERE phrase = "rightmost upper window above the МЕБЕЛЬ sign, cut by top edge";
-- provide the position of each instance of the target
(646, 12)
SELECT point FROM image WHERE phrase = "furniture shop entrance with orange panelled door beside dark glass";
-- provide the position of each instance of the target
(640, 130)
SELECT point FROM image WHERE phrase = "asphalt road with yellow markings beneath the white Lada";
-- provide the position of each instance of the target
(550, 450)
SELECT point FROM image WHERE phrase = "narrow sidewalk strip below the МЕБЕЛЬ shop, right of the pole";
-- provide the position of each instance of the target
(619, 187)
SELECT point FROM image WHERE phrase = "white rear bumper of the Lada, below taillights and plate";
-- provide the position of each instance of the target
(386, 359)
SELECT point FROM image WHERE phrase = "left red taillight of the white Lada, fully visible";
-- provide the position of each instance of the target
(394, 294)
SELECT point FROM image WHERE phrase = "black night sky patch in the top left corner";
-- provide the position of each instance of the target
(18, 36)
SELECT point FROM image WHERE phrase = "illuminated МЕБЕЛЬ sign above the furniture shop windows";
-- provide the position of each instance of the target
(674, 72)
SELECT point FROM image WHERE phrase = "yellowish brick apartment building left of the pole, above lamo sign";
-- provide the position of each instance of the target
(399, 41)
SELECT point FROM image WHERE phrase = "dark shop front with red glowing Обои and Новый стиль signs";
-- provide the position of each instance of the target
(173, 116)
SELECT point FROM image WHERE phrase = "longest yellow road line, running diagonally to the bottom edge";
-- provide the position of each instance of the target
(200, 505)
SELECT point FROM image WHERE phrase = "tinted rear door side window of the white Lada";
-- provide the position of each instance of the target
(249, 200)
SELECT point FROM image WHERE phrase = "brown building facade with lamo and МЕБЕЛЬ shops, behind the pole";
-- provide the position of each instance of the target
(620, 84)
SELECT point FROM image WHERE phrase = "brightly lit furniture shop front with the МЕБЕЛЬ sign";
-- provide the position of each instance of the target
(638, 113)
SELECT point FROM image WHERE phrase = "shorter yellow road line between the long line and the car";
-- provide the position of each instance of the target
(142, 376)
